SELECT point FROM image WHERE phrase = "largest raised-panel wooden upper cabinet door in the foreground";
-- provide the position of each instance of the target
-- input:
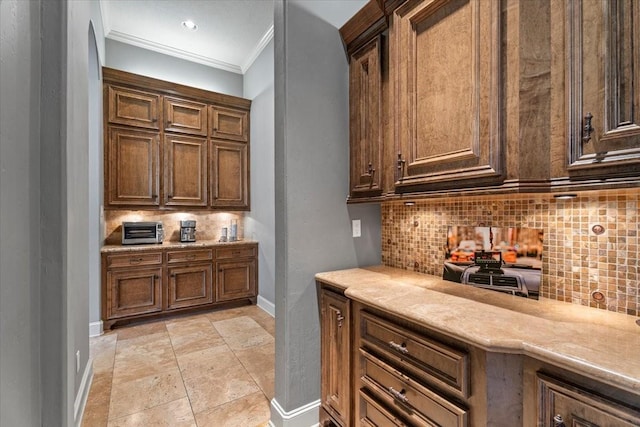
(445, 62)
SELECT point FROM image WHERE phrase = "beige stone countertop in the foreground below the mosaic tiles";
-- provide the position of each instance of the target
(596, 343)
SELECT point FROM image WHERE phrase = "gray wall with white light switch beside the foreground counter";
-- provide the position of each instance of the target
(313, 228)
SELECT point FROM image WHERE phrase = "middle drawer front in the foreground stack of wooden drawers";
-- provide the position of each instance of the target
(420, 406)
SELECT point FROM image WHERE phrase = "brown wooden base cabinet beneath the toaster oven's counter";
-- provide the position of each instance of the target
(143, 284)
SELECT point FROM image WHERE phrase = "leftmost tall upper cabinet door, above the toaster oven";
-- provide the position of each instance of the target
(133, 168)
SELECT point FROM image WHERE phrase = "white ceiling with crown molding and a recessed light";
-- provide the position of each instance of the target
(230, 34)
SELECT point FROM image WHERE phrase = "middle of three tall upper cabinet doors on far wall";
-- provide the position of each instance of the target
(185, 164)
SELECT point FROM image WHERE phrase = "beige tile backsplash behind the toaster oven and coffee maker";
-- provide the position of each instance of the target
(208, 224)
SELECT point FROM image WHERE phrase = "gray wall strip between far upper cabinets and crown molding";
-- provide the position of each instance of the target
(133, 59)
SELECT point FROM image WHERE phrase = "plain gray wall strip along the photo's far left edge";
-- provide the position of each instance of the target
(19, 213)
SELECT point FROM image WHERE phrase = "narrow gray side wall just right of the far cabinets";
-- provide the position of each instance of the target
(260, 222)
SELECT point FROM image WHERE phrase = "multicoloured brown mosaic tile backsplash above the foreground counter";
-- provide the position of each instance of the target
(577, 260)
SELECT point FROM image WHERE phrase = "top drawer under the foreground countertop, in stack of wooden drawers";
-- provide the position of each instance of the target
(432, 361)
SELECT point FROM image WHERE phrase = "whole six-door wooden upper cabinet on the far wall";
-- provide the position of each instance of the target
(169, 146)
